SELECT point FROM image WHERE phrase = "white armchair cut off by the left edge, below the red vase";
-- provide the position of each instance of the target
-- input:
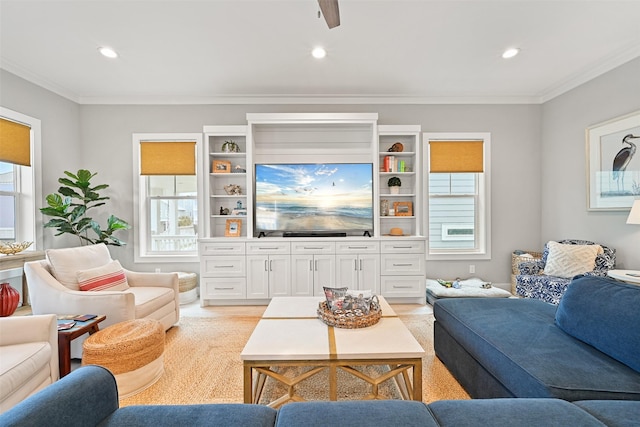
(28, 357)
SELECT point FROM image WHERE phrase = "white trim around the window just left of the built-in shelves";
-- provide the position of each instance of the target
(140, 224)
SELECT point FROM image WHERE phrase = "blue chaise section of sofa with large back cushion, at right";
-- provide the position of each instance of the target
(587, 347)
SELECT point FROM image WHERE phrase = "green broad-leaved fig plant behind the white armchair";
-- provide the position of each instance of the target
(69, 209)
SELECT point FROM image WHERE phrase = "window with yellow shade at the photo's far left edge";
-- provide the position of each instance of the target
(19, 189)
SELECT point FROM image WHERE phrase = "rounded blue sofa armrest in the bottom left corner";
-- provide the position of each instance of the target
(85, 397)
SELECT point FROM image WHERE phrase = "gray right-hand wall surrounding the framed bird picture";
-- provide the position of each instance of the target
(563, 177)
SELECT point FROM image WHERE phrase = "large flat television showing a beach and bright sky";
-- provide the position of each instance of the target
(313, 199)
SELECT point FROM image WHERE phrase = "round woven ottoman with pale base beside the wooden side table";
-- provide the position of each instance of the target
(132, 350)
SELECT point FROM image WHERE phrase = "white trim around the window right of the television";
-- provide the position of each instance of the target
(483, 226)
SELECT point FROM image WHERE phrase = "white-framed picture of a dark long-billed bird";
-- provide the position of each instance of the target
(613, 163)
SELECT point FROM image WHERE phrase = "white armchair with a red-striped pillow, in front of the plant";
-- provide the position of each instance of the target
(55, 287)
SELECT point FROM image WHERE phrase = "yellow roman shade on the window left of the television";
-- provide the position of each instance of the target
(168, 158)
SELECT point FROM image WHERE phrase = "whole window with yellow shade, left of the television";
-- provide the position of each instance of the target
(167, 215)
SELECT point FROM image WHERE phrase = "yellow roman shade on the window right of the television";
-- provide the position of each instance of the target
(456, 156)
